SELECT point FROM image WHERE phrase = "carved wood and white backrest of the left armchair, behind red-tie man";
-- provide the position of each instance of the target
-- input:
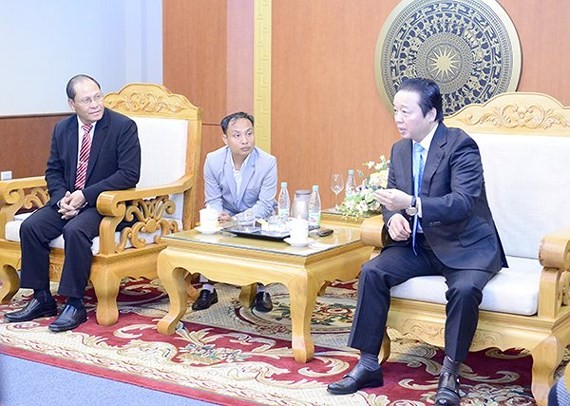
(169, 128)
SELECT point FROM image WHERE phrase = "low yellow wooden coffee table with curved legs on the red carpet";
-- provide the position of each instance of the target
(246, 261)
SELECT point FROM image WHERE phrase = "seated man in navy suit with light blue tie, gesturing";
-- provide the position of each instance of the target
(437, 222)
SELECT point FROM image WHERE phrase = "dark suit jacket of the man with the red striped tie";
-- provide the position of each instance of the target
(114, 160)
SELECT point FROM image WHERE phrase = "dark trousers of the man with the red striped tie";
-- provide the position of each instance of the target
(39, 229)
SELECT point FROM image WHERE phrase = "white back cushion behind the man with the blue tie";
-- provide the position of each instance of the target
(528, 187)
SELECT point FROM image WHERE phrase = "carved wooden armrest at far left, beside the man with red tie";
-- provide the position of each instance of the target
(18, 194)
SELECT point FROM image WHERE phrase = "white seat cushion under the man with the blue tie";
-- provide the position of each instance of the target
(513, 290)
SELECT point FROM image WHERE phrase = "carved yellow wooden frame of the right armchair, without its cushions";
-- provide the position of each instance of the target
(545, 334)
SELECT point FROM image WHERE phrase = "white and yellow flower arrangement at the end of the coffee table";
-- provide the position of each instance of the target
(363, 200)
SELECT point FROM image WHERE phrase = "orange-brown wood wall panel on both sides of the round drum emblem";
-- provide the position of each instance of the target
(326, 112)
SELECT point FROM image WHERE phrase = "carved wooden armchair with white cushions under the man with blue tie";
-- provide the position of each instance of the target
(524, 140)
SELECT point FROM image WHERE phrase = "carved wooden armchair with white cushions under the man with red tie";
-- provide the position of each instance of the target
(163, 202)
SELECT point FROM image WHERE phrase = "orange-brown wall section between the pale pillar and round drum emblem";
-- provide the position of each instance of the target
(326, 113)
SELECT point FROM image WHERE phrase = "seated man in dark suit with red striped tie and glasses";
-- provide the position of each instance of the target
(94, 150)
